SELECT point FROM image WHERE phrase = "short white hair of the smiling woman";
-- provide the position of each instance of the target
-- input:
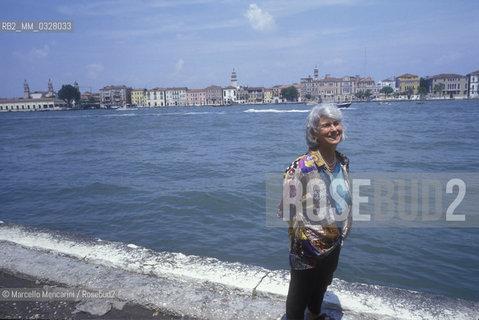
(329, 110)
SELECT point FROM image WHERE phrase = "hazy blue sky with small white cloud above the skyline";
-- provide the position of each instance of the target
(197, 43)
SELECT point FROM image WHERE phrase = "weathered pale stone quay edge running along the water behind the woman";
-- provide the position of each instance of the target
(201, 287)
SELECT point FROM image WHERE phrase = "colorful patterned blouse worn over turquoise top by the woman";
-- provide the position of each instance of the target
(319, 218)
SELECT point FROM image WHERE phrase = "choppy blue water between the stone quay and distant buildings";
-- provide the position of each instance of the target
(193, 180)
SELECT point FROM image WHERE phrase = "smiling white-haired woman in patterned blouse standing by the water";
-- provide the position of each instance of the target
(317, 204)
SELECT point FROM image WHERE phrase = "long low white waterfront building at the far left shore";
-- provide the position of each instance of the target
(36, 104)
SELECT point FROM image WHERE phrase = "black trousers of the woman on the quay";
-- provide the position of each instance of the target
(307, 287)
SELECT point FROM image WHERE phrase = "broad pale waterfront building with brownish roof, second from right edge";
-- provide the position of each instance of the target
(453, 85)
